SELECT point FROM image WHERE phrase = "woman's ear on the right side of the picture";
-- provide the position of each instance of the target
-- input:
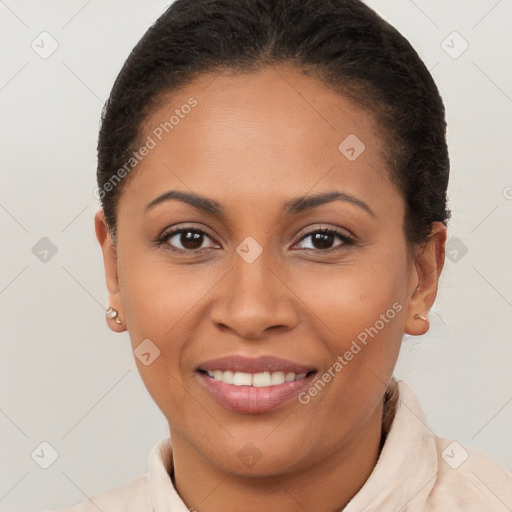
(424, 279)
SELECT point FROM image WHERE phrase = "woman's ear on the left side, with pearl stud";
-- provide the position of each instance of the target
(110, 263)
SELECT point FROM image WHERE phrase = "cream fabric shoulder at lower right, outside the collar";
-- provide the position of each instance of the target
(468, 480)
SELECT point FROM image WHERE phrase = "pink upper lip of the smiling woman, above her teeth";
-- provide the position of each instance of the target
(254, 365)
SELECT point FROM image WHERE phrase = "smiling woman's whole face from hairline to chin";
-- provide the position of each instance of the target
(275, 306)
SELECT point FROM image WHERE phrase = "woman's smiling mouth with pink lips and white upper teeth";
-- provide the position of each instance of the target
(254, 385)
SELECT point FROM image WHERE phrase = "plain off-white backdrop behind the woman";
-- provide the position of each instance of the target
(67, 380)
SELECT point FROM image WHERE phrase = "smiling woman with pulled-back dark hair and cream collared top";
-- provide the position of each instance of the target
(273, 179)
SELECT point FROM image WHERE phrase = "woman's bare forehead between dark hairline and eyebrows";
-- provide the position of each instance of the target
(261, 136)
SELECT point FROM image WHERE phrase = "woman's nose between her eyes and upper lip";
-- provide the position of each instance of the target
(253, 299)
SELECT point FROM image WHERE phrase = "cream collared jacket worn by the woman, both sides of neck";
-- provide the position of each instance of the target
(416, 471)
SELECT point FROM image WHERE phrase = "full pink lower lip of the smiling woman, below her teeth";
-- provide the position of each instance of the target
(252, 399)
